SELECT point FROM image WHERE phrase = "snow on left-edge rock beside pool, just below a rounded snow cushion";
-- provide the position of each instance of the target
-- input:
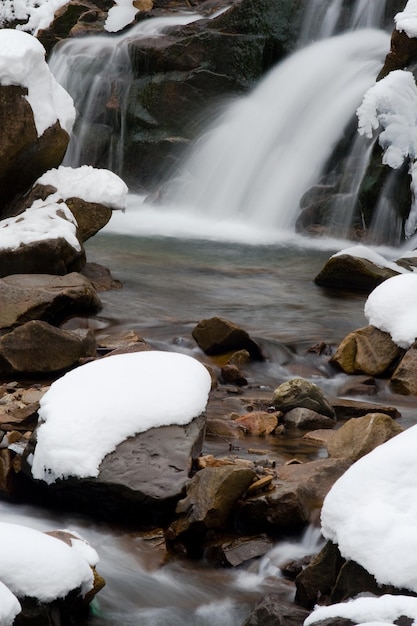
(39, 223)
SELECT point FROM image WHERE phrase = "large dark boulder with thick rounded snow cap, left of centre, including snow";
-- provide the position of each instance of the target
(123, 445)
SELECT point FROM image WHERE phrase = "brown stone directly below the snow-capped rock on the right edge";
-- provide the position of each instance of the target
(367, 350)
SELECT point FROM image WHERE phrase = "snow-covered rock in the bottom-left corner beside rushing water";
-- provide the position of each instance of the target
(44, 575)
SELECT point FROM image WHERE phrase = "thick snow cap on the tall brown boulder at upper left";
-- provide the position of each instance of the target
(22, 62)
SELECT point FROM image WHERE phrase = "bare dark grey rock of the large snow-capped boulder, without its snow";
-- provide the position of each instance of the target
(139, 483)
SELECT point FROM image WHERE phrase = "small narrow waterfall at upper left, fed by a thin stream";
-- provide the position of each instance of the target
(96, 72)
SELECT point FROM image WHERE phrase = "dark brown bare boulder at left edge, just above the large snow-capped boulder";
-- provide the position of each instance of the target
(37, 347)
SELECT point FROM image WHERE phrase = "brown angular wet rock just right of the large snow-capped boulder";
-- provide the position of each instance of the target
(208, 505)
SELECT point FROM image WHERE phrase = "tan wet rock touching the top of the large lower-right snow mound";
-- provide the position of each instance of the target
(359, 436)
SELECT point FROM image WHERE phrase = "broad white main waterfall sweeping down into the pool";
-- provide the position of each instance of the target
(270, 147)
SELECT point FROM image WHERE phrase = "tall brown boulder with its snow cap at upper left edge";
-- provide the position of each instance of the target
(36, 115)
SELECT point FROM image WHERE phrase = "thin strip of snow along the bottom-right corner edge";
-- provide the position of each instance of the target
(369, 611)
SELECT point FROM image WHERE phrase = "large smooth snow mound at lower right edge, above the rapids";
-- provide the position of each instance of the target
(371, 512)
